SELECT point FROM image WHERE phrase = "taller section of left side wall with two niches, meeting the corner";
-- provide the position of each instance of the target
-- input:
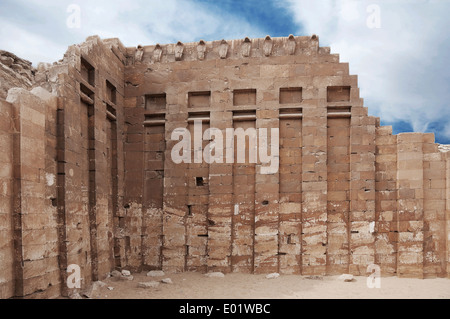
(90, 158)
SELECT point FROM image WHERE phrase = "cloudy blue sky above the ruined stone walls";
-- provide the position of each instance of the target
(401, 63)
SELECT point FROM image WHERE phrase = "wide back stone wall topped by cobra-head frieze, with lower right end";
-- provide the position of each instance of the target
(348, 193)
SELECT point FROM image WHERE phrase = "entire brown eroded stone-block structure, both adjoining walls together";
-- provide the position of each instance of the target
(87, 176)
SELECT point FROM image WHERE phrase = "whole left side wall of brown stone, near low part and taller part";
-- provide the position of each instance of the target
(62, 203)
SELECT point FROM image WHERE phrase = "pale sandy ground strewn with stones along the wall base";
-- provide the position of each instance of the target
(245, 286)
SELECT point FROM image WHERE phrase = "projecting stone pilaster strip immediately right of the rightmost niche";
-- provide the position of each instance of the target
(362, 185)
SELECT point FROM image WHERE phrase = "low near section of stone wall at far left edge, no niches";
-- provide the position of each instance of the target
(30, 189)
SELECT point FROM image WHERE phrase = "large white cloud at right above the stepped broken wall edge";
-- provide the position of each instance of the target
(401, 66)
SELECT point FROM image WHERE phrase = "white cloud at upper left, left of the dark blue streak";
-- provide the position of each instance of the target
(133, 22)
